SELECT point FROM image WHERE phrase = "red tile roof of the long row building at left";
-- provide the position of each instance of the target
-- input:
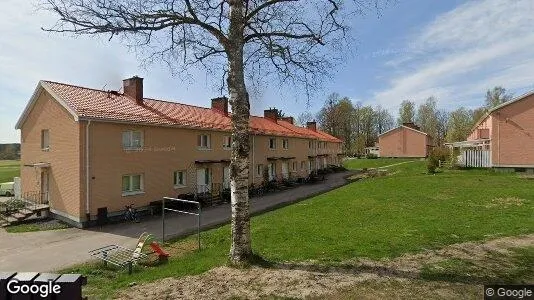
(102, 105)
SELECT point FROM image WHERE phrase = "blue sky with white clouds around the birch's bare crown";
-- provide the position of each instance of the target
(453, 50)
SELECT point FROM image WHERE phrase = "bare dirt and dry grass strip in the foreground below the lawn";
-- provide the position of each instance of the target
(309, 280)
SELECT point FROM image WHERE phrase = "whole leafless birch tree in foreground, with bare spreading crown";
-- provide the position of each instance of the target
(252, 39)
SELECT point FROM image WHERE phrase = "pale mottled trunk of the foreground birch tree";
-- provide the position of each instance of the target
(241, 250)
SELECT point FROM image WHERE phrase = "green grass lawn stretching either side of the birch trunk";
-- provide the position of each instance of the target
(377, 218)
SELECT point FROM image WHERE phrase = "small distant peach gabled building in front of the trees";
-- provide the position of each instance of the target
(406, 140)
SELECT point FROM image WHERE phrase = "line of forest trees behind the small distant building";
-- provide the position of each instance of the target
(360, 125)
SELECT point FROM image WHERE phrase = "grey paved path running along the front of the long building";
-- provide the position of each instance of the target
(54, 250)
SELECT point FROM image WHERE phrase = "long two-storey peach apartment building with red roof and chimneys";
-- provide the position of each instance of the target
(84, 150)
